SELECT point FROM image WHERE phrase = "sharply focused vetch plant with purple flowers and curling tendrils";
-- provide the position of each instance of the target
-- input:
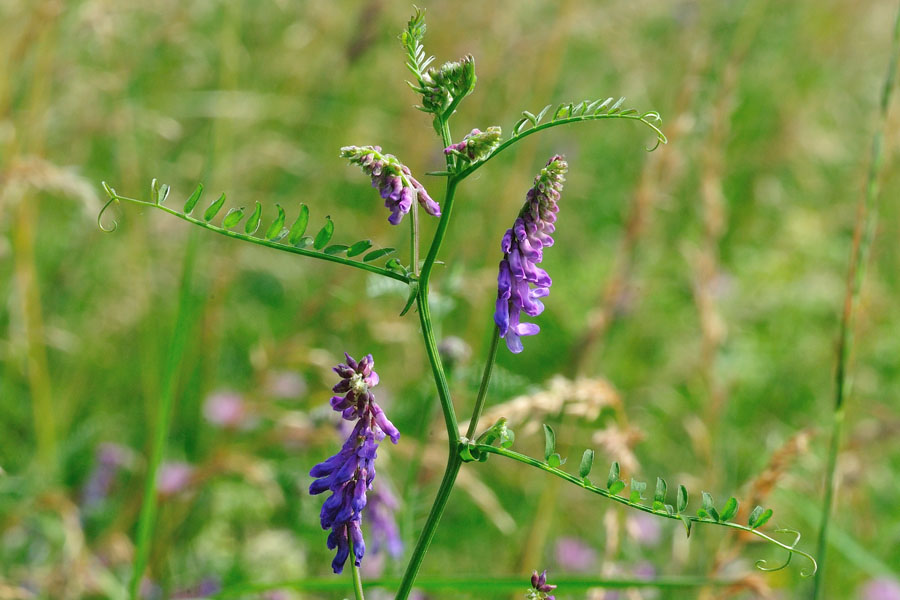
(521, 284)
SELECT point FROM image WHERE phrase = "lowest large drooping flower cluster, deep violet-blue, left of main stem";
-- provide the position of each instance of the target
(351, 472)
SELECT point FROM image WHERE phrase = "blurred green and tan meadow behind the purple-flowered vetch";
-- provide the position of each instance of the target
(696, 302)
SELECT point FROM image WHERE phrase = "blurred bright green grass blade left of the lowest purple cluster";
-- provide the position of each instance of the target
(176, 352)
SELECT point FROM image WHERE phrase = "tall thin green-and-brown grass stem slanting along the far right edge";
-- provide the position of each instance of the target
(864, 231)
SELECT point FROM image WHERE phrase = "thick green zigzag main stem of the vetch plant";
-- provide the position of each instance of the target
(440, 378)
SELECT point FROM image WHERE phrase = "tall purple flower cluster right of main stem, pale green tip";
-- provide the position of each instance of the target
(523, 246)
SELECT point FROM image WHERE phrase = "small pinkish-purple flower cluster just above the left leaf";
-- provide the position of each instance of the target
(393, 180)
